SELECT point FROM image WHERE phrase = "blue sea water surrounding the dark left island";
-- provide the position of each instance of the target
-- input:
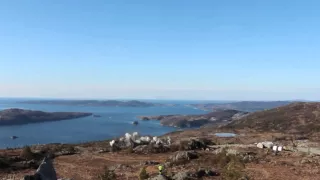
(114, 122)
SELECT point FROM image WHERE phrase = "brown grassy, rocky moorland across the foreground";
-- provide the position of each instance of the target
(224, 161)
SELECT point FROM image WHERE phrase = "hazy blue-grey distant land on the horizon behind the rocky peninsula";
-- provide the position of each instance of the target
(249, 106)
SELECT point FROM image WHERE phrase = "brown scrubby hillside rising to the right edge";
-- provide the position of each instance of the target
(292, 118)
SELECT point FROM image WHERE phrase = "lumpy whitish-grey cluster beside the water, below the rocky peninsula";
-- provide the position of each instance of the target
(128, 139)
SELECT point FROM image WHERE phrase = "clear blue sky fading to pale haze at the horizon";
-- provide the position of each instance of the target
(169, 49)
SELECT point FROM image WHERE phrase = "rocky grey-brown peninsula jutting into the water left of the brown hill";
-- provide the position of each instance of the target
(187, 121)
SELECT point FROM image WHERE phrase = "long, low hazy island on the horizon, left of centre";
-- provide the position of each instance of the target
(110, 103)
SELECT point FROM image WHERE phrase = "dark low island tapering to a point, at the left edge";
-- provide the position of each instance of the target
(21, 116)
